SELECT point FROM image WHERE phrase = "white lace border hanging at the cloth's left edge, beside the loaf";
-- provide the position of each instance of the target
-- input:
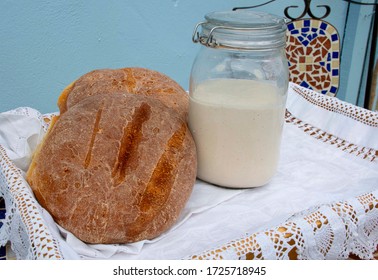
(23, 225)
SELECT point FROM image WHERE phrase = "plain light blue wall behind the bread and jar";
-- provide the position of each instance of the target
(45, 45)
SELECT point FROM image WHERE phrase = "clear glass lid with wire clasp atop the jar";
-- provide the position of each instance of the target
(241, 29)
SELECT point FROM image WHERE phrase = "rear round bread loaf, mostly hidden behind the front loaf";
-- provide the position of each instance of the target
(131, 80)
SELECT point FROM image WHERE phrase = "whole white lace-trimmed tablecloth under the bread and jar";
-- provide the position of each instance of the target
(321, 204)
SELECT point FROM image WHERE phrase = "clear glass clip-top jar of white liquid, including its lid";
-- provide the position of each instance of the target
(238, 89)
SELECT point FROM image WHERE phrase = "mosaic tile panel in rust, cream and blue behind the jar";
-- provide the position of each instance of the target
(313, 52)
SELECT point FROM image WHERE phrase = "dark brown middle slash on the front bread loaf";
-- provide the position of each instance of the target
(131, 138)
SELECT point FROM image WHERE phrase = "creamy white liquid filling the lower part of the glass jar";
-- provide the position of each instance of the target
(237, 126)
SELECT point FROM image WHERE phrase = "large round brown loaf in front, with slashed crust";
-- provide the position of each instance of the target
(115, 168)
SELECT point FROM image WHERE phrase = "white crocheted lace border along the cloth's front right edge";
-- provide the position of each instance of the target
(329, 231)
